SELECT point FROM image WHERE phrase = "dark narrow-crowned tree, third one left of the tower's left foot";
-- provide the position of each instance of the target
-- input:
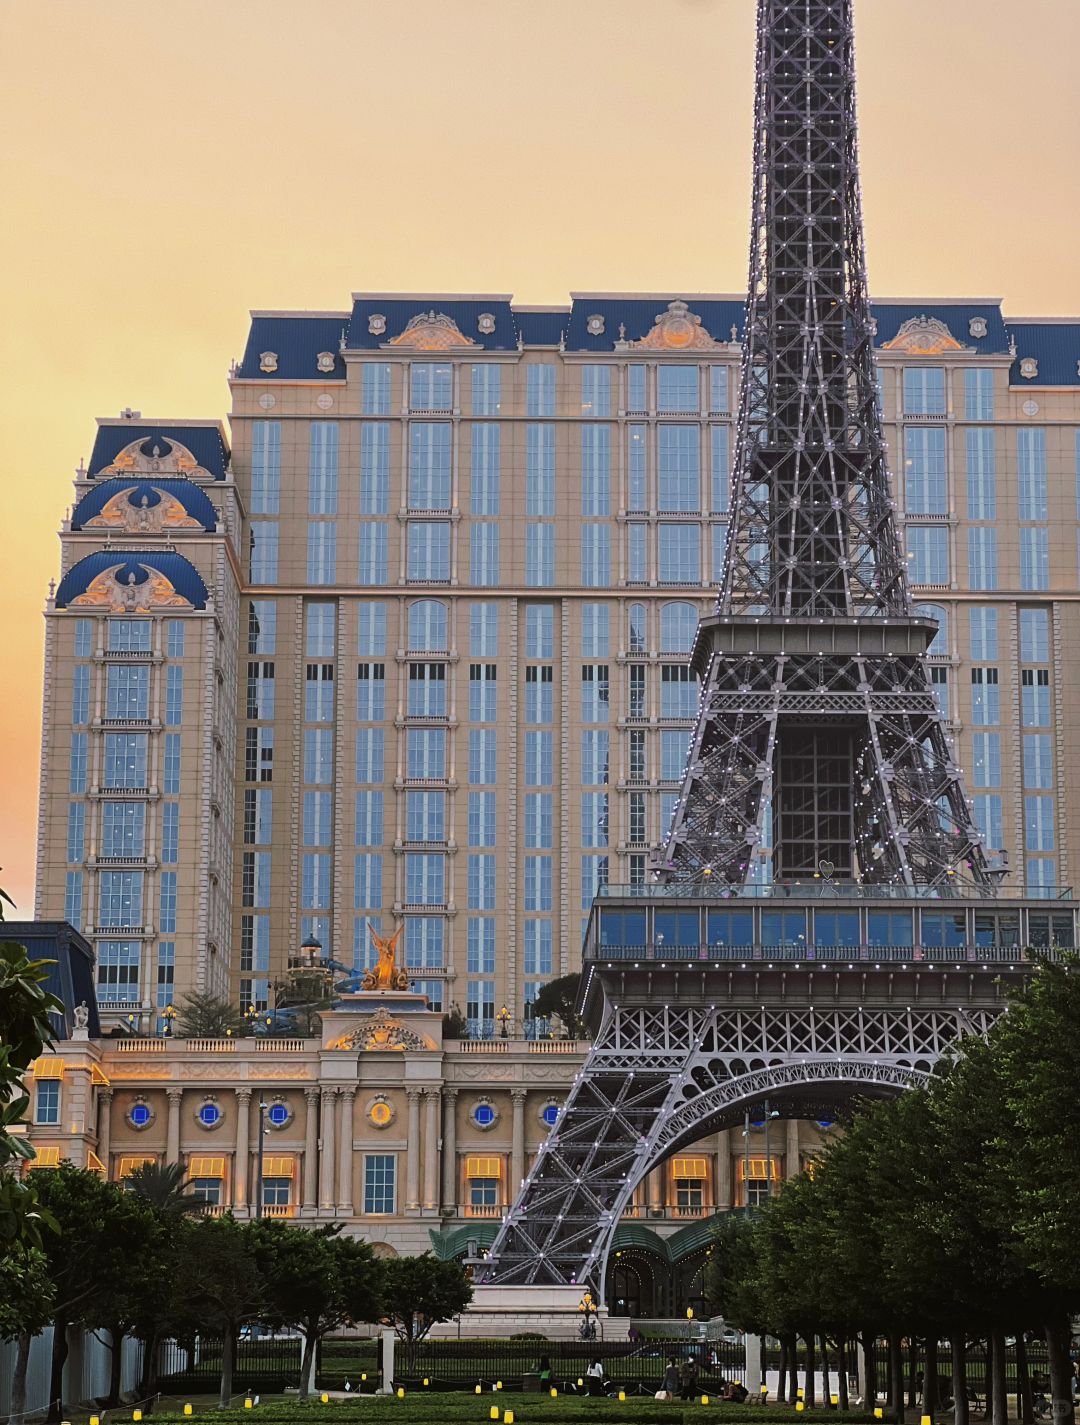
(222, 1283)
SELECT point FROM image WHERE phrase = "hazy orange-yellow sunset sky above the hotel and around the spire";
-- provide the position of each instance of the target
(169, 166)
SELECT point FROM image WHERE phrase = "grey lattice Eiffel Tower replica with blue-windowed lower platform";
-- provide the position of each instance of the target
(823, 921)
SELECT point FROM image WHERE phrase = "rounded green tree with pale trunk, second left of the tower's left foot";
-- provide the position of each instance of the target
(316, 1282)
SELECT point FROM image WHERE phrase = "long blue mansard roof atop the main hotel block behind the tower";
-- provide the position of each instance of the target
(296, 343)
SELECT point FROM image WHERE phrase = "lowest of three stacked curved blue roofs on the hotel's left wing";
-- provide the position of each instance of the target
(125, 582)
